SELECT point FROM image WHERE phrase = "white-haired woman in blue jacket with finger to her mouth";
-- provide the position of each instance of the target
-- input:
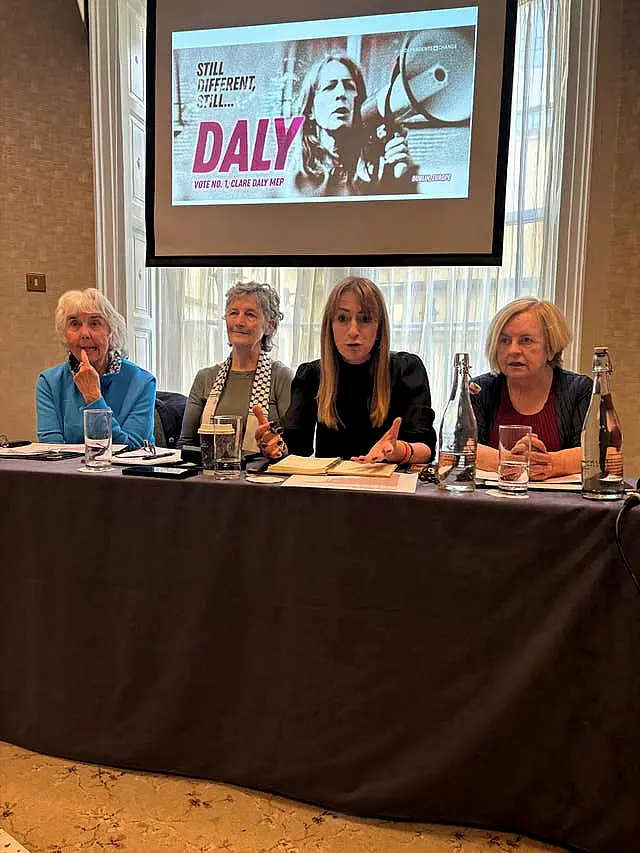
(95, 375)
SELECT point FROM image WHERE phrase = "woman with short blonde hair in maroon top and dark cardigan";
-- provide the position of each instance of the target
(528, 386)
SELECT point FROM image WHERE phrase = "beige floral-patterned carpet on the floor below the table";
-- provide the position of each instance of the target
(49, 805)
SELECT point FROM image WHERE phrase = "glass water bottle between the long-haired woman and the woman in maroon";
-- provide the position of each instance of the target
(458, 437)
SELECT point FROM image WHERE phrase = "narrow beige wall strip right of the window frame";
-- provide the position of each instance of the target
(611, 309)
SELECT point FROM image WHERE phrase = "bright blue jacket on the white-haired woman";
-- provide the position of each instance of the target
(130, 394)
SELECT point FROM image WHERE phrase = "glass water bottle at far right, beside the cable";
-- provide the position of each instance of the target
(601, 441)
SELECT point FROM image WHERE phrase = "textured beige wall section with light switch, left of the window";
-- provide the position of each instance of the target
(46, 190)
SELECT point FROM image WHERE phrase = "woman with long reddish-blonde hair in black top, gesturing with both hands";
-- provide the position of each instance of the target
(360, 400)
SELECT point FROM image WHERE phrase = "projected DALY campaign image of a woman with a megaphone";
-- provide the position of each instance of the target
(375, 107)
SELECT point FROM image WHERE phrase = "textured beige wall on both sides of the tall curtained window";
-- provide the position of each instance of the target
(46, 200)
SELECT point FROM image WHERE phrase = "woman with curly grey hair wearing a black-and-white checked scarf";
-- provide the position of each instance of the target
(248, 377)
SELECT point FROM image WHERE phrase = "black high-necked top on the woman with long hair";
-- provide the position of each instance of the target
(355, 436)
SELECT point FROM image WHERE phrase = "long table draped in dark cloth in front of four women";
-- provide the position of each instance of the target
(456, 659)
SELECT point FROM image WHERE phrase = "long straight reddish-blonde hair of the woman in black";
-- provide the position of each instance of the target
(372, 301)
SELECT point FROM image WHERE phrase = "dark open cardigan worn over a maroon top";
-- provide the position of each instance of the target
(573, 393)
